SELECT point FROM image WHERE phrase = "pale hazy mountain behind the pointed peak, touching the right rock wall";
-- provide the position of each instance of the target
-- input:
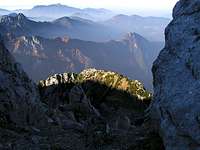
(150, 27)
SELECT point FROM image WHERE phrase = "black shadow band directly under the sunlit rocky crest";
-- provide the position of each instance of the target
(98, 93)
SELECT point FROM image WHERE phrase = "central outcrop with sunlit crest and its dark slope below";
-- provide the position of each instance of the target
(107, 109)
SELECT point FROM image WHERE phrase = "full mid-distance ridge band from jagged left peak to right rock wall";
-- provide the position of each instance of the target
(78, 28)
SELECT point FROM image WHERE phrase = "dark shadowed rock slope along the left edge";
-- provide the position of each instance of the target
(21, 111)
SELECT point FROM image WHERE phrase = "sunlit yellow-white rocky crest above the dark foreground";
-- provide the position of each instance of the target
(90, 78)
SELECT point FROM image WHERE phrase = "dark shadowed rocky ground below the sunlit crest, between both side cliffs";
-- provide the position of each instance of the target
(103, 117)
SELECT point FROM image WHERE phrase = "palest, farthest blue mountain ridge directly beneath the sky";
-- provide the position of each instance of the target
(55, 11)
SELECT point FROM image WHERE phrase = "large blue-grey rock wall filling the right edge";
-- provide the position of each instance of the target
(175, 109)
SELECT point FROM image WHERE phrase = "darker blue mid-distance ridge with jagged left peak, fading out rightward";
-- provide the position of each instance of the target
(20, 25)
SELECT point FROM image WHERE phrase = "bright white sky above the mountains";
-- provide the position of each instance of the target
(122, 5)
